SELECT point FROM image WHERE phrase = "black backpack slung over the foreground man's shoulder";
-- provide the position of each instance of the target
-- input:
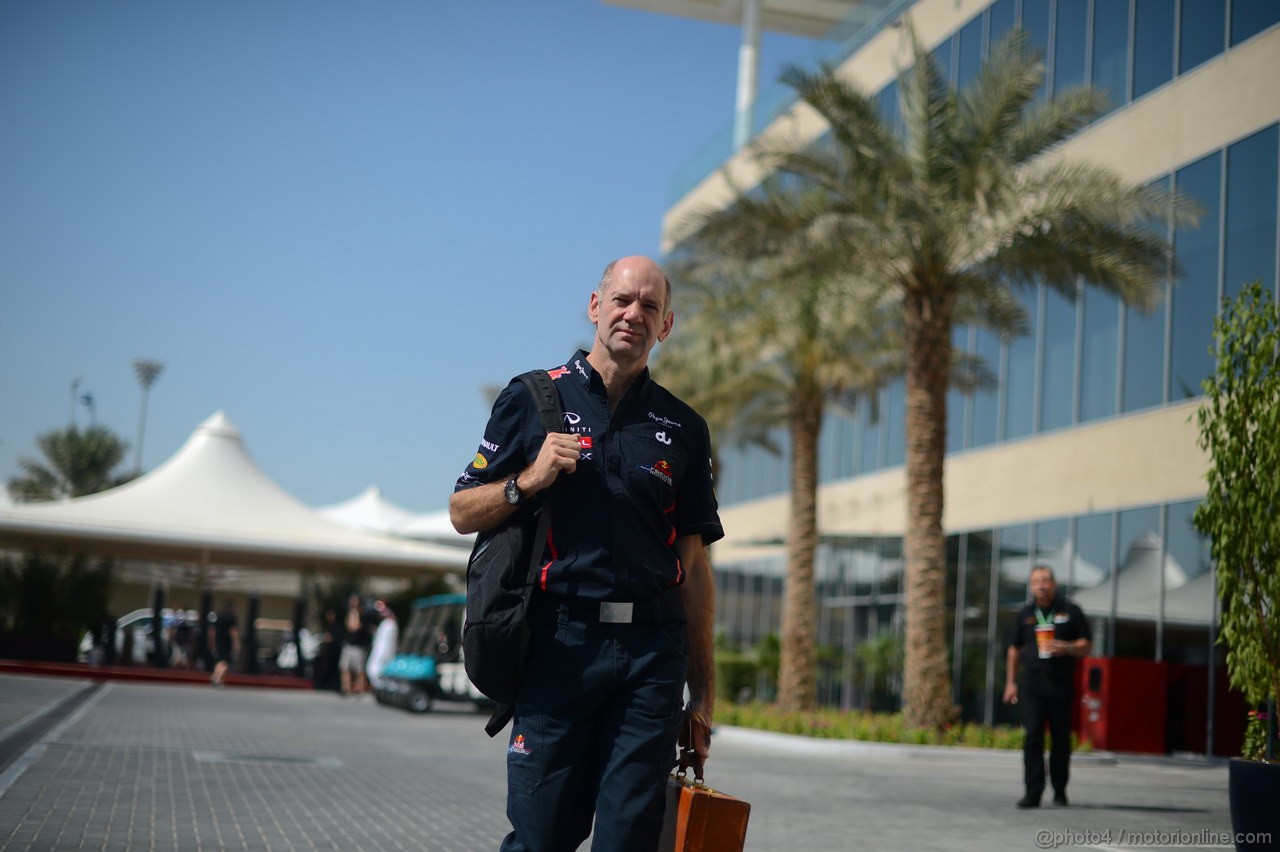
(501, 576)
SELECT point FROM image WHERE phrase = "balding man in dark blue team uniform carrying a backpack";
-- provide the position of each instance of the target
(624, 602)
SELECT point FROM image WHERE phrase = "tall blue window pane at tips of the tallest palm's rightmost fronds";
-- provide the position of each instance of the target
(1195, 297)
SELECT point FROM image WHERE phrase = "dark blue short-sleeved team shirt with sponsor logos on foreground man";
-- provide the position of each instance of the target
(643, 480)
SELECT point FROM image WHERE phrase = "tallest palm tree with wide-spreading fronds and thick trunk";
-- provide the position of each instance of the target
(945, 219)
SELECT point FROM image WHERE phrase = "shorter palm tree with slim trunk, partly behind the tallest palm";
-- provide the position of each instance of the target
(787, 337)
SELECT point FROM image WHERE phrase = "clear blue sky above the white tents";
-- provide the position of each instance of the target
(336, 222)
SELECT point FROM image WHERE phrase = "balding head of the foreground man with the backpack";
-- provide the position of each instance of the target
(632, 314)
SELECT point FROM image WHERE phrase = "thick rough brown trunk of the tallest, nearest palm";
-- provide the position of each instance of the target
(926, 674)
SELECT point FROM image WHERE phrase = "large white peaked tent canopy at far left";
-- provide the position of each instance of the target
(212, 505)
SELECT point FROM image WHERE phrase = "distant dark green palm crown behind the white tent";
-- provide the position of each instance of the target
(79, 462)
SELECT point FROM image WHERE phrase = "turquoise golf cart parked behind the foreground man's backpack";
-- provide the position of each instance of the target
(429, 665)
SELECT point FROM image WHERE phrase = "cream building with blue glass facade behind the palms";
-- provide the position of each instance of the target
(1084, 455)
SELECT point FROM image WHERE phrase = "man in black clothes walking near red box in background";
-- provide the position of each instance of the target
(1049, 635)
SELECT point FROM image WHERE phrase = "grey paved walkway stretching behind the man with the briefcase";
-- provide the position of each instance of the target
(162, 767)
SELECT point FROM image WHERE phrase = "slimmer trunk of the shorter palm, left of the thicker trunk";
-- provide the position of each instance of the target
(797, 679)
